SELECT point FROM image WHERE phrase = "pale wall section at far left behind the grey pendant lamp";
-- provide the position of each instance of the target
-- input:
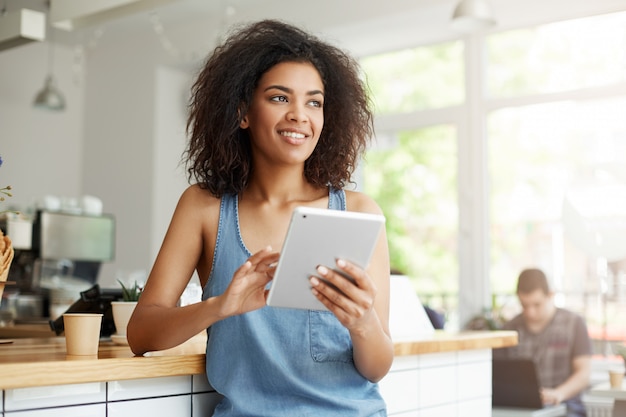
(42, 151)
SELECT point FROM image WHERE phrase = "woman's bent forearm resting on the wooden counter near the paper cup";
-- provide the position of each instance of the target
(154, 327)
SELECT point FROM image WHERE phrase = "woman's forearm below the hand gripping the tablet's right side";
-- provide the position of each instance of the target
(373, 352)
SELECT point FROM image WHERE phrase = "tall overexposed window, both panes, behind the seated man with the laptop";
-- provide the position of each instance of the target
(557, 163)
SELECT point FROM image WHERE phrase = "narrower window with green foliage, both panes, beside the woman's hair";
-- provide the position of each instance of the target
(412, 171)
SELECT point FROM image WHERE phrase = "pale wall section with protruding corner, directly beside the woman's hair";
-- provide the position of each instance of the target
(134, 137)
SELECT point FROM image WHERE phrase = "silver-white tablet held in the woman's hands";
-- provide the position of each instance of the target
(319, 237)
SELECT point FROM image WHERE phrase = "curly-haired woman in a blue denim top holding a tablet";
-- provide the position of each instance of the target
(278, 120)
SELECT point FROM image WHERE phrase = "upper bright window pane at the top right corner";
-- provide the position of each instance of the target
(557, 57)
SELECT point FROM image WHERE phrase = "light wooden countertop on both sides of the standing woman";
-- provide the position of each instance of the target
(43, 361)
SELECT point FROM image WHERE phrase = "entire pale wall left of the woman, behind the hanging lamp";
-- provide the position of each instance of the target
(120, 139)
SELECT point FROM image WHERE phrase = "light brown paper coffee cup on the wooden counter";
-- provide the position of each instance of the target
(82, 333)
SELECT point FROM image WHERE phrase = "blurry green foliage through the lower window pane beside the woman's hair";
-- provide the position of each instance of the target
(415, 184)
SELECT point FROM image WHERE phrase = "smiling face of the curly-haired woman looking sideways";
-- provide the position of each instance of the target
(286, 114)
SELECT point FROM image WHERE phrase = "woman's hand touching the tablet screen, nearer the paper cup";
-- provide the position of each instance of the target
(246, 291)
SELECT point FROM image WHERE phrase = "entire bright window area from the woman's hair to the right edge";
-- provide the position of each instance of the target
(555, 147)
